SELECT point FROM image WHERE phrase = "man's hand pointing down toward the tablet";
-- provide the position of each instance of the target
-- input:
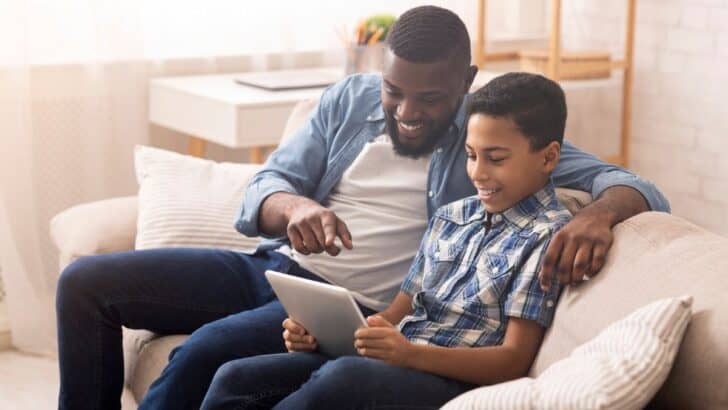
(312, 228)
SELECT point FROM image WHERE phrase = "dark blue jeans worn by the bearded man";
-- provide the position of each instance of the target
(221, 297)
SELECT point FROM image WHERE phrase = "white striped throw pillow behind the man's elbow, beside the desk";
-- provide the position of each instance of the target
(189, 202)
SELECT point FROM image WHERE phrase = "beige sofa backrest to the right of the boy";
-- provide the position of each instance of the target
(656, 255)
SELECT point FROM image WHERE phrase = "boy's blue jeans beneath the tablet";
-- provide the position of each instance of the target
(303, 381)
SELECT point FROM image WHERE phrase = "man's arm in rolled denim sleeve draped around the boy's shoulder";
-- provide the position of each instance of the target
(580, 247)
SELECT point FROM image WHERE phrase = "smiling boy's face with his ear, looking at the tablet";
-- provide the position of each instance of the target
(502, 165)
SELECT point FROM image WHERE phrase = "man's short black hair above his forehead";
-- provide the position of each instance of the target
(429, 34)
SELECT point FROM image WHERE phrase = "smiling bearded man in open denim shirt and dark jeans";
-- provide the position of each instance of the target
(351, 193)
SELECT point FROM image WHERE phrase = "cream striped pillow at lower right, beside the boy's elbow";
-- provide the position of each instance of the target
(621, 368)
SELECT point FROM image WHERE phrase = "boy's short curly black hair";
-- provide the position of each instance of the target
(535, 104)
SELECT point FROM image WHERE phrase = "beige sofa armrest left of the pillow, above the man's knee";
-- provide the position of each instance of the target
(95, 227)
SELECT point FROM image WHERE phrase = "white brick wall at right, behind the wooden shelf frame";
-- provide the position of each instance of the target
(680, 115)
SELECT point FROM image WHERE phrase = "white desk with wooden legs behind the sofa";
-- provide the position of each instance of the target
(215, 108)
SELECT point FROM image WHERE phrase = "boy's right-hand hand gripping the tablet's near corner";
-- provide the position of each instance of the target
(383, 341)
